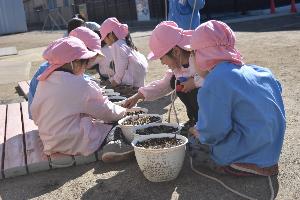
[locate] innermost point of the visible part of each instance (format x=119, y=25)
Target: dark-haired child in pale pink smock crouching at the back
x=130, y=65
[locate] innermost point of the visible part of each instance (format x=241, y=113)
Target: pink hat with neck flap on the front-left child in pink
x=62, y=51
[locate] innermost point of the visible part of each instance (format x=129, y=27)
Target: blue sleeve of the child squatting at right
x=214, y=115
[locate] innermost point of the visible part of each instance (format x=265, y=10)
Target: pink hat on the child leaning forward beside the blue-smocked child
x=165, y=36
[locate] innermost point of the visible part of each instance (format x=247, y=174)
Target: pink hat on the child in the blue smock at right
x=214, y=42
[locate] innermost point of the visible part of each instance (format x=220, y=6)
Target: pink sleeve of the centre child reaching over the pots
x=157, y=89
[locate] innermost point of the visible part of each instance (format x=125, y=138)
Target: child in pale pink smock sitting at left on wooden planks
x=65, y=104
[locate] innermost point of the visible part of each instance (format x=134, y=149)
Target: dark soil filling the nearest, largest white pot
x=160, y=143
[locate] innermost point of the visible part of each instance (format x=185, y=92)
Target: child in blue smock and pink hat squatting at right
x=241, y=112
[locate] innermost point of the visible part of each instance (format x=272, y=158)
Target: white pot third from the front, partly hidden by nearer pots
x=128, y=129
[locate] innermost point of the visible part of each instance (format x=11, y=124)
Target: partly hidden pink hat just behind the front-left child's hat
x=89, y=38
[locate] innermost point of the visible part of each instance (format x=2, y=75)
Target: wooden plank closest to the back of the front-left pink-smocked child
x=36, y=159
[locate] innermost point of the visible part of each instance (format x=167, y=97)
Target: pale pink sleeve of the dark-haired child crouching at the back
x=121, y=61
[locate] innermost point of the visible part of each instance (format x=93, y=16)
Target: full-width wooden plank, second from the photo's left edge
x=14, y=160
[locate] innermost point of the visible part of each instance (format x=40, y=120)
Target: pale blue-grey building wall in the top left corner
x=12, y=17
